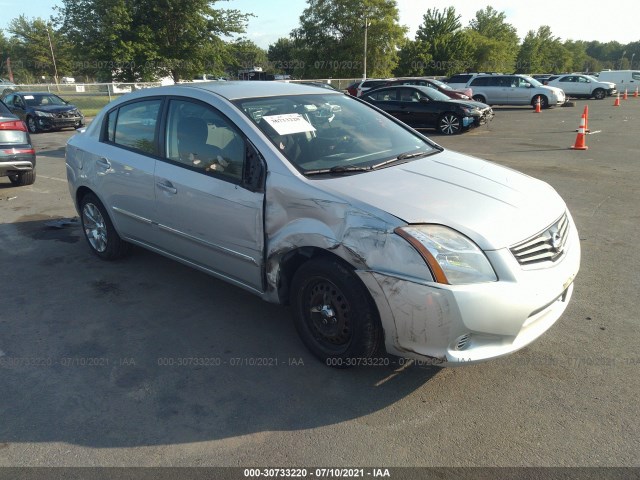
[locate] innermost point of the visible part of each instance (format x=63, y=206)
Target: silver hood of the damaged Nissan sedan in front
x=495, y=206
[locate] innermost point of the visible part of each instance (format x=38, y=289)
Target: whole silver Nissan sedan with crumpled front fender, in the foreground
x=374, y=234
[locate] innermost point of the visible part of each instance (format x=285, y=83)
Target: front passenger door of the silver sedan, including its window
x=205, y=215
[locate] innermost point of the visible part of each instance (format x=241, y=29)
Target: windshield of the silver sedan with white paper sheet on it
x=329, y=132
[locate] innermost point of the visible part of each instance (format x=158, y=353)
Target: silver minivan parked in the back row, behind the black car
x=514, y=90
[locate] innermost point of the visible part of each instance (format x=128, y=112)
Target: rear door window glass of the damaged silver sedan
x=134, y=126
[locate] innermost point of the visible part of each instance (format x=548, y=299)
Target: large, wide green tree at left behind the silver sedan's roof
x=133, y=40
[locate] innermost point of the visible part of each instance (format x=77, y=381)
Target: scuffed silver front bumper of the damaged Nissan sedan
x=451, y=325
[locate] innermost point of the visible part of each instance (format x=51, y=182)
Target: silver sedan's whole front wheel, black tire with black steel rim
x=334, y=313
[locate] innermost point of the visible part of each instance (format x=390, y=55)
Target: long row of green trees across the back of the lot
x=144, y=40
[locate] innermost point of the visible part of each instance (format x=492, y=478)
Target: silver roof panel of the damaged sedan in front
x=234, y=90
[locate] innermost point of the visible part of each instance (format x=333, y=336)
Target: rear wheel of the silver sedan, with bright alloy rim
x=102, y=238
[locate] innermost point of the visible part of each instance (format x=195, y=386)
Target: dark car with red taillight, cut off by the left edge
x=17, y=155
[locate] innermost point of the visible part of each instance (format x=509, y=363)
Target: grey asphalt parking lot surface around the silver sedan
x=145, y=362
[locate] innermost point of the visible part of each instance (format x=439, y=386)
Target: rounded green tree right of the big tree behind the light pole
x=442, y=38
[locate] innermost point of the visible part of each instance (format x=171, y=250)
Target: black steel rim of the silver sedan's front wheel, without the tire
x=328, y=314
